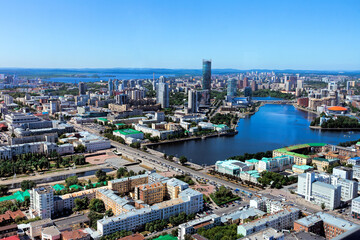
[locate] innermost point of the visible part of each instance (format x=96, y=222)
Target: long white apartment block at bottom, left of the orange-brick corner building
x=279, y=221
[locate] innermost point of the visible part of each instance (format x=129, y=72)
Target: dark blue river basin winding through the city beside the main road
x=273, y=126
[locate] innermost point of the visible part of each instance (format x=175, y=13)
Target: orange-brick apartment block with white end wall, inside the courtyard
x=150, y=193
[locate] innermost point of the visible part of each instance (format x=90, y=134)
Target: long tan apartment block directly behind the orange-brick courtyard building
x=124, y=185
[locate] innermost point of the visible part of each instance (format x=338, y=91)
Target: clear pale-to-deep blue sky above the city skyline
x=289, y=34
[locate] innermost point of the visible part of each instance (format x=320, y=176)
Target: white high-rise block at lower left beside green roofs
x=42, y=202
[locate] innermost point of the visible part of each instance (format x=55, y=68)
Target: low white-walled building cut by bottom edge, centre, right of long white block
x=191, y=227
